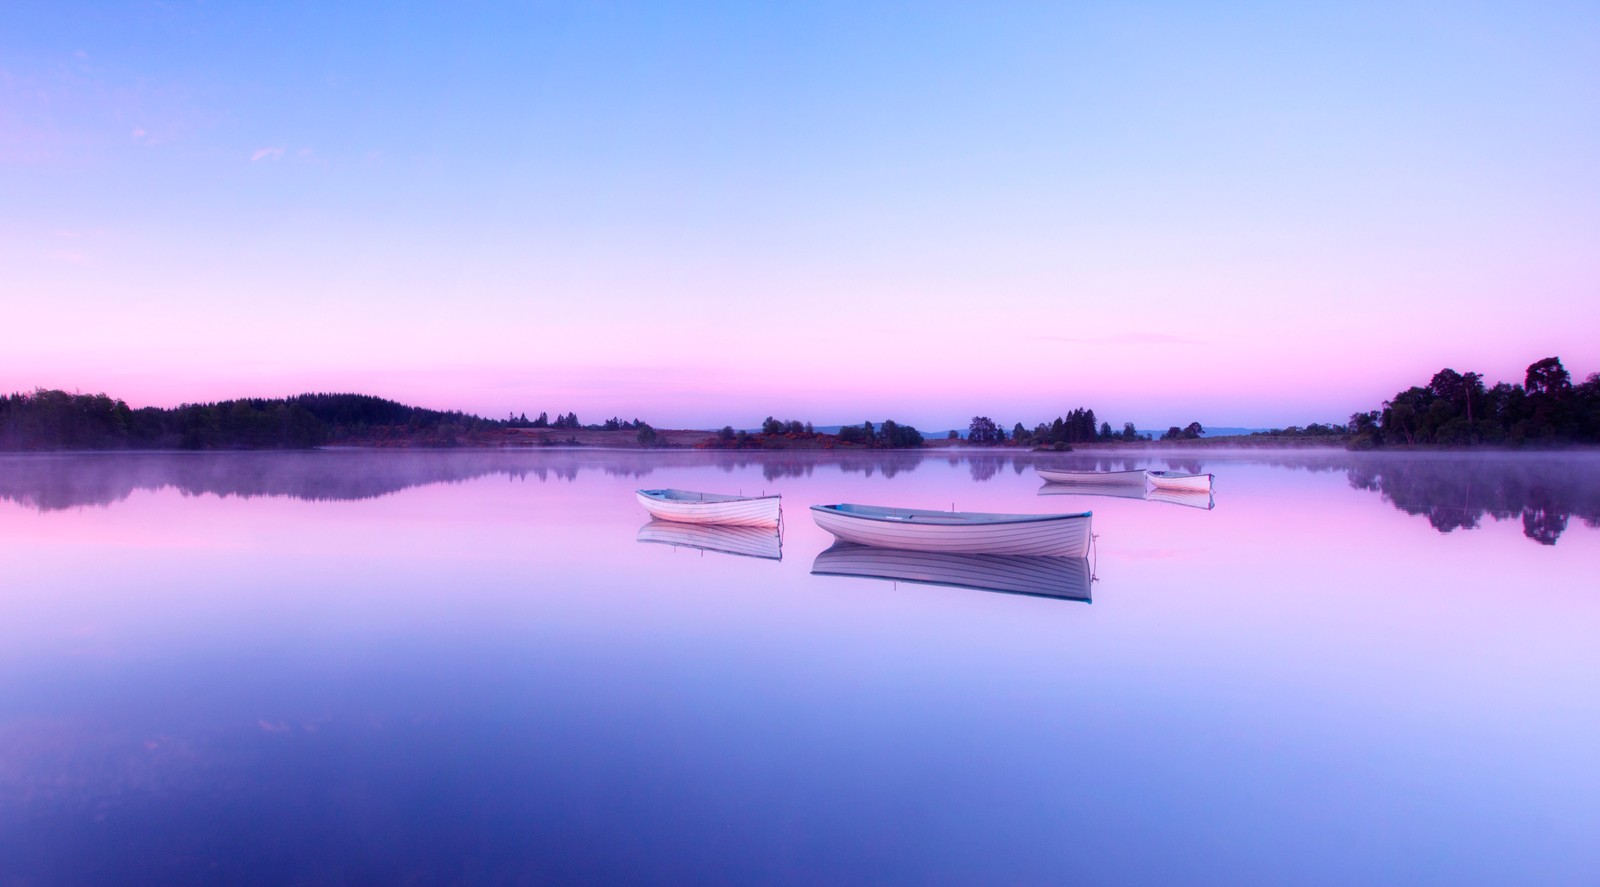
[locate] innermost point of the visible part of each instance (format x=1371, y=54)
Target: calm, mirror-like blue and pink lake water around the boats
x=484, y=667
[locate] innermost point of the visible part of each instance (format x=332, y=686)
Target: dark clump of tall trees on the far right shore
x=1458, y=411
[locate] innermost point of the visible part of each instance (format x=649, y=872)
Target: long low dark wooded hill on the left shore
x=57, y=420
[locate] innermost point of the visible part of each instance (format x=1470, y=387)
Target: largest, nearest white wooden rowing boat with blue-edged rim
x=961, y=532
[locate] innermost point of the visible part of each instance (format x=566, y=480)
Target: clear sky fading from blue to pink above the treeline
x=708, y=214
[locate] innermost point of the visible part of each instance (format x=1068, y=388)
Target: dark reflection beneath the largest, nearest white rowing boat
x=1014, y=574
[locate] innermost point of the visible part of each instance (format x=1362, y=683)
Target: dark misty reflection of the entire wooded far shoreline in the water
x=1454, y=492
